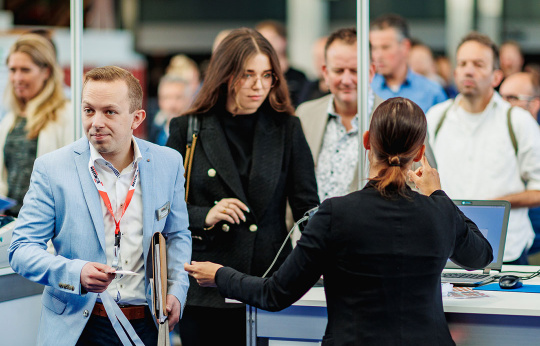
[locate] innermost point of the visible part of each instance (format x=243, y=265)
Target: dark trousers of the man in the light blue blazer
x=99, y=331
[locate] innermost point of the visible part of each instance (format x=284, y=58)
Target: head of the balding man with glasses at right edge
x=521, y=90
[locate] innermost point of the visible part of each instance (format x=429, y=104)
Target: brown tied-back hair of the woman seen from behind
x=396, y=133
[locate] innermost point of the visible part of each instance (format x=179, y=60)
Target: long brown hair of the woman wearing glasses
x=228, y=64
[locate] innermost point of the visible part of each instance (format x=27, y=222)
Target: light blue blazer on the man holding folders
x=64, y=205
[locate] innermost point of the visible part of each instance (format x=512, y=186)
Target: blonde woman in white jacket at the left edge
x=39, y=118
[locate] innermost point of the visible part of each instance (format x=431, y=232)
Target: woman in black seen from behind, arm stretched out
x=381, y=250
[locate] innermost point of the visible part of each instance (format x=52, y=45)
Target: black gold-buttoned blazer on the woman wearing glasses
x=282, y=170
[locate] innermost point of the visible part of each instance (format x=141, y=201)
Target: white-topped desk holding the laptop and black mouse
x=503, y=318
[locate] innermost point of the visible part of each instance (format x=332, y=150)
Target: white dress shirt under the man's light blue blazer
x=129, y=288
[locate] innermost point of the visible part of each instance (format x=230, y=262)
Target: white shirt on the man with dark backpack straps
x=476, y=159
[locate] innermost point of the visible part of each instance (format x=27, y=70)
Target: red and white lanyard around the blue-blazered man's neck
x=107, y=201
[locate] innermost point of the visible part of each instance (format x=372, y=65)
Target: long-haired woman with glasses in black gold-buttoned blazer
x=251, y=157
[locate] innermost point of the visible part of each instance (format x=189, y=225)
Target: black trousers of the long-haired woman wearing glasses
x=203, y=326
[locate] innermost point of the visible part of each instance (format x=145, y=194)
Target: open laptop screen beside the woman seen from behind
x=491, y=217
